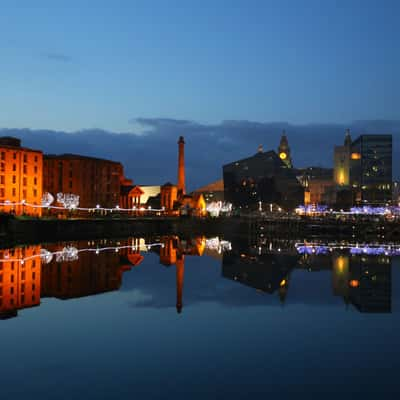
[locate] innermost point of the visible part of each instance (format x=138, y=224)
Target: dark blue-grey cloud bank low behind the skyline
x=150, y=156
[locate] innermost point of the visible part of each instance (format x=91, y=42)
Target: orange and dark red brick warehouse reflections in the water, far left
x=25, y=278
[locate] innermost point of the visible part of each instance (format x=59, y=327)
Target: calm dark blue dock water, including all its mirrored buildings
x=171, y=318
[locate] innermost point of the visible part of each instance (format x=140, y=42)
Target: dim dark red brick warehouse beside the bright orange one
x=96, y=181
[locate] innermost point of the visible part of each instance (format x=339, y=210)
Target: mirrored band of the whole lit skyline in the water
x=362, y=277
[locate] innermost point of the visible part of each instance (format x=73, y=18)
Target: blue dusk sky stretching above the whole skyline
x=100, y=65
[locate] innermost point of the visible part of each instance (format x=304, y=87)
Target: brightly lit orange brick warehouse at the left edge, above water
x=21, y=172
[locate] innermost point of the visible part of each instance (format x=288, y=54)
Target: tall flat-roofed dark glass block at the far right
x=371, y=169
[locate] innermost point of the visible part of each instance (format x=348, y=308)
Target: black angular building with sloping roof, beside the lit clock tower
x=260, y=180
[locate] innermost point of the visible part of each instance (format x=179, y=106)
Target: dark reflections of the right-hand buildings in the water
x=364, y=281
